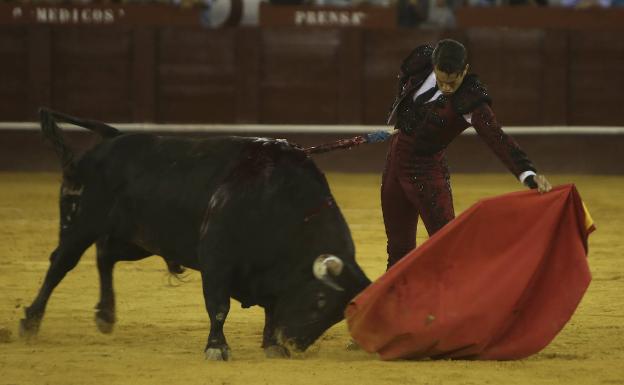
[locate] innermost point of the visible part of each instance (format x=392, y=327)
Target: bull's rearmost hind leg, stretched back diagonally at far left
x=62, y=260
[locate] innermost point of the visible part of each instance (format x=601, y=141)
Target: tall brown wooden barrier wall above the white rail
x=124, y=73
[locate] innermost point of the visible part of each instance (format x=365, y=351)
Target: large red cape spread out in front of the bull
x=498, y=282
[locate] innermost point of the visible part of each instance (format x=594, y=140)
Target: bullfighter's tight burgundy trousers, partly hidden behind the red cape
x=413, y=186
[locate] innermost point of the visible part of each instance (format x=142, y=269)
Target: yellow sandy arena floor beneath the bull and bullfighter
x=162, y=329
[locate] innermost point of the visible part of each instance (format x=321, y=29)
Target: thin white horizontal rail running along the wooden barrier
x=313, y=129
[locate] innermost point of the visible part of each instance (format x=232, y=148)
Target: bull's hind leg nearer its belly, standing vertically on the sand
x=110, y=251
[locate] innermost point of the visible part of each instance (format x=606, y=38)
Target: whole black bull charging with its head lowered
x=255, y=216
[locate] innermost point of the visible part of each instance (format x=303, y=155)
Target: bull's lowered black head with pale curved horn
x=302, y=315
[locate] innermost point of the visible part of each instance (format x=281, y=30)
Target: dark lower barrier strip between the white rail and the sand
x=25, y=150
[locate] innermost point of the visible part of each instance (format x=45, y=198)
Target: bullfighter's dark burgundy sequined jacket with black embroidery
x=427, y=128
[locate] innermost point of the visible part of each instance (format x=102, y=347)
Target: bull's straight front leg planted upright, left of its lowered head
x=217, y=298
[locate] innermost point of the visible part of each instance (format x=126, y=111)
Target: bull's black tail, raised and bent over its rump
x=52, y=132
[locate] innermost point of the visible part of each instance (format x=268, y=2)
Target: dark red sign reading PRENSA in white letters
x=310, y=16
